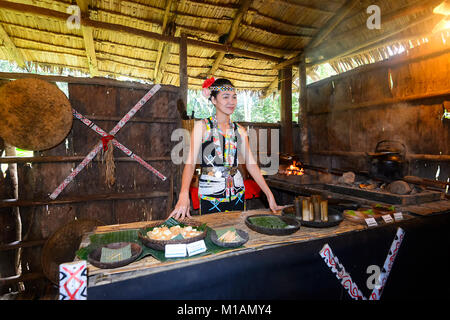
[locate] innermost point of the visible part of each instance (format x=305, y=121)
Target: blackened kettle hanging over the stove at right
x=388, y=162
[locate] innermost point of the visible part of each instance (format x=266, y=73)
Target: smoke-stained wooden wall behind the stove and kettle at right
x=390, y=100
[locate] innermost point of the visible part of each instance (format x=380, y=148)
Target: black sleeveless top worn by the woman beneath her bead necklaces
x=208, y=154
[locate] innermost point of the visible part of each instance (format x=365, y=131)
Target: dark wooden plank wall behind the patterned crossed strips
x=147, y=139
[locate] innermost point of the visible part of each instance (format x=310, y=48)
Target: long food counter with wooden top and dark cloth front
x=289, y=267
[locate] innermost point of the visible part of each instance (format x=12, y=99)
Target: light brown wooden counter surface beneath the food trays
x=257, y=241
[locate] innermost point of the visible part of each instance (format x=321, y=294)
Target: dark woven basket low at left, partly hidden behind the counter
x=62, y=245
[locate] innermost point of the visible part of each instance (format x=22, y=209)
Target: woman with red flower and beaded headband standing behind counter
x=221, y=186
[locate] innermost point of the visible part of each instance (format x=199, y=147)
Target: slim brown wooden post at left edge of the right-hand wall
x=303, y=110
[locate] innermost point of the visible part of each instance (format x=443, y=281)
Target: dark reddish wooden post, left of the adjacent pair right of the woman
x=286, y=110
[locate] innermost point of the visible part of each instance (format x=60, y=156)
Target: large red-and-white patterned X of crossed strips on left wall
x=117, y=144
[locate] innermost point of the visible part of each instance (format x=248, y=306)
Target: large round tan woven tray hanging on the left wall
x=34, y=114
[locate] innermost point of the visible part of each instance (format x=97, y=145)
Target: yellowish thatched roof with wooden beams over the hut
x=245, y=41
